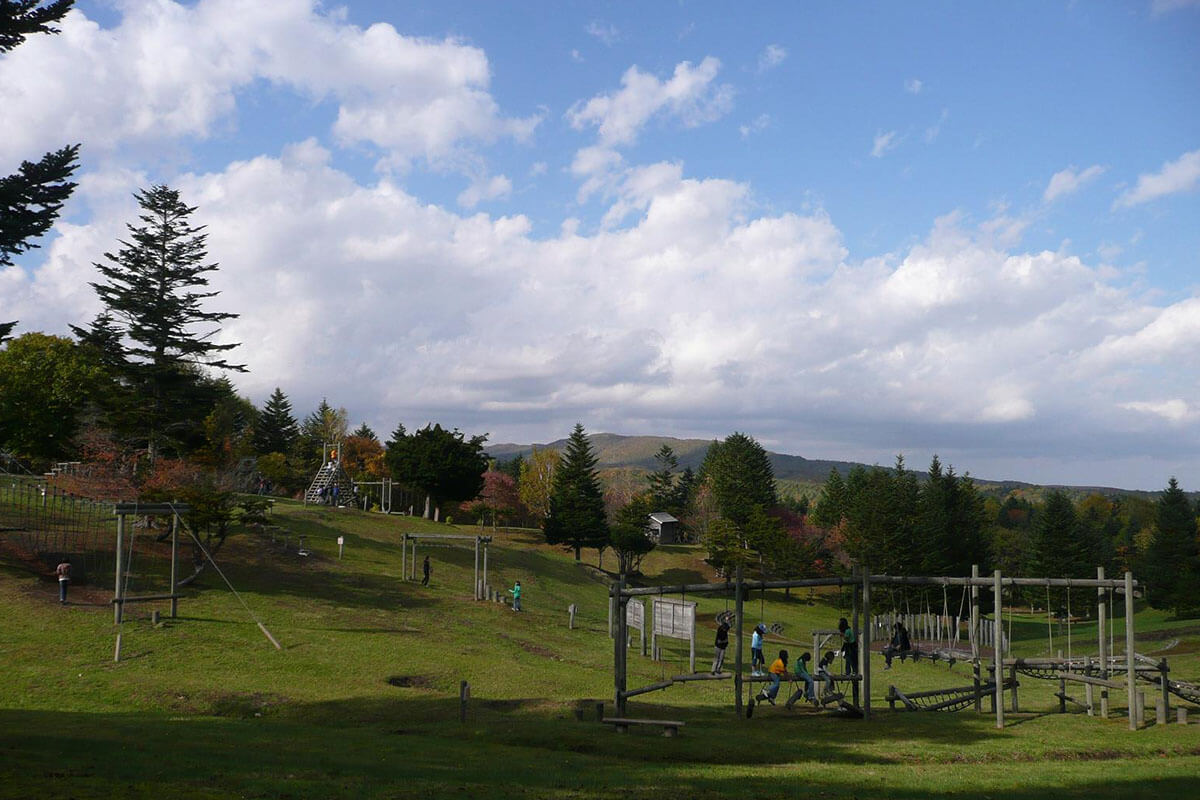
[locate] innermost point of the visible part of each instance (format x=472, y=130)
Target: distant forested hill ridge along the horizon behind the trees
x=616, y=452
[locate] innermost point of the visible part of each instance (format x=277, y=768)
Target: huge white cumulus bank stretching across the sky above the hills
x=701, y=314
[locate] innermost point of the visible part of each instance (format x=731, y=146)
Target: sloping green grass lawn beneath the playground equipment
x=363, y=700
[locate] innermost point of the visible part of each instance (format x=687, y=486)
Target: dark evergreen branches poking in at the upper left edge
x=33, y=197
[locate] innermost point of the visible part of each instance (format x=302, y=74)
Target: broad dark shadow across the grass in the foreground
x=416, y=747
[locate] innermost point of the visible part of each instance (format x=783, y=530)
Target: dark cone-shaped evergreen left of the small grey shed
x=577, y=502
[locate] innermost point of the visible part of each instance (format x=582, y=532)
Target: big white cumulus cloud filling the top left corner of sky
x=170, y=71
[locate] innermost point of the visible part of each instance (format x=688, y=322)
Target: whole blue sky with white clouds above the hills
x=850, y=230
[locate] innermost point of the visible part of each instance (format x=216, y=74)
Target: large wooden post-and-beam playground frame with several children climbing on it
x=983, y=685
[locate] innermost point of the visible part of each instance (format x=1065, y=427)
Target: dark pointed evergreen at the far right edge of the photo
x=1173, y=560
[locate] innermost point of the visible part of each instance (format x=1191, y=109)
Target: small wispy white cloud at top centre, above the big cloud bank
x=691, y=95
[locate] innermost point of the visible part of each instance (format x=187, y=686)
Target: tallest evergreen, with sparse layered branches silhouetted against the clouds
x=151, y=287
